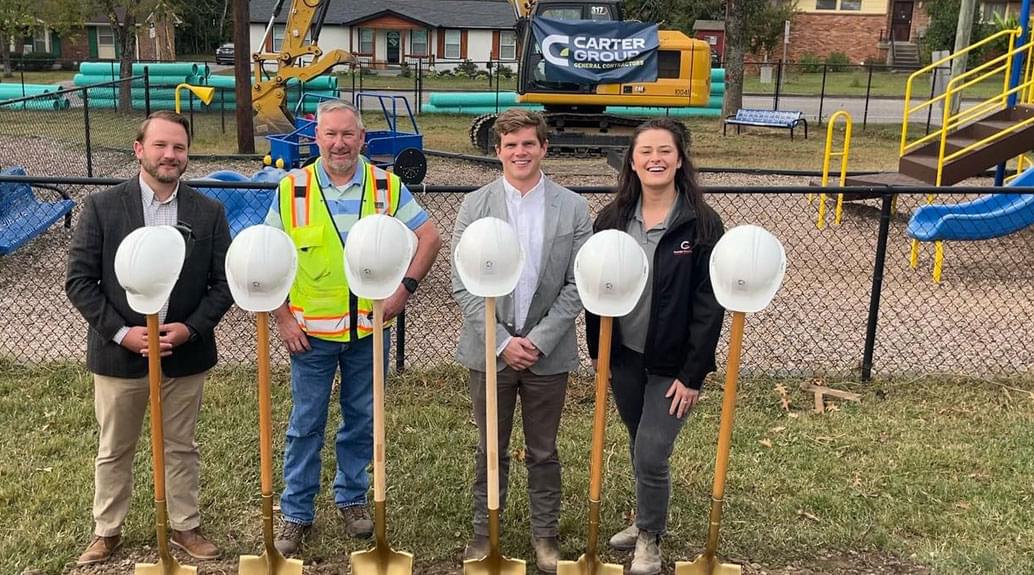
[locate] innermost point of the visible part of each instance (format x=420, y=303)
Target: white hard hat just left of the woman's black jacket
x=611, y=273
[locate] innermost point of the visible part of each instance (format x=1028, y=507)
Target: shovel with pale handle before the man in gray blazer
x=494, y=563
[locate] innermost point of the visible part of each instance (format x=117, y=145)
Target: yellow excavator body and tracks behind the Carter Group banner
x=577, y=113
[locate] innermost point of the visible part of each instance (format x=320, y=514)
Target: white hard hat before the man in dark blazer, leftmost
x=147, y=265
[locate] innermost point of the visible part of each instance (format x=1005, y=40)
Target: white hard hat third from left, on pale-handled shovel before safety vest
x=377, y=255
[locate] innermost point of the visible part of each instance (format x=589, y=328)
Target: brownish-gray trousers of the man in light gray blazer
x=542, y=403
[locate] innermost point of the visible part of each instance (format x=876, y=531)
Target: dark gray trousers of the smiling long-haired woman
x=644, y=408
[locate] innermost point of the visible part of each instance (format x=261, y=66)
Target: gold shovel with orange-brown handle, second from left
x=271, y=562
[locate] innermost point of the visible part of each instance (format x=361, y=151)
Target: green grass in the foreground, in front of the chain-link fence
x=935, y=472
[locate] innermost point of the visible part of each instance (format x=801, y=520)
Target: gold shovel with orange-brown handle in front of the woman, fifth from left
x=590, y=563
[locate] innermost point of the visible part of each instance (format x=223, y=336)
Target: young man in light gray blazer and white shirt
x=536, y=329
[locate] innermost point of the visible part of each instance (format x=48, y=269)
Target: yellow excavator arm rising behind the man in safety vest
x=300, y=58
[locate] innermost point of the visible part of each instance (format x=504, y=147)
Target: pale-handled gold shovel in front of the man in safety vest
x=382, y=560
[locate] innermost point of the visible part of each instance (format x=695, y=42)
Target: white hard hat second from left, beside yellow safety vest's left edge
x=261, y=266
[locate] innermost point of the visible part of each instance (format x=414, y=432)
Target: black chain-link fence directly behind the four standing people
x=850, y=307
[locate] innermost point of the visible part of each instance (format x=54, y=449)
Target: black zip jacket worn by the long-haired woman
x=685, y=318
